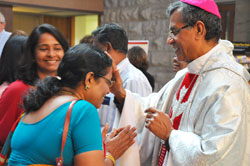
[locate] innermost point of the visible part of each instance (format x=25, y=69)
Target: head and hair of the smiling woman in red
x=43, y=52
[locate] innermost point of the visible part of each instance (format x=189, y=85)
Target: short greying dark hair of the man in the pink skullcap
x=192, y=14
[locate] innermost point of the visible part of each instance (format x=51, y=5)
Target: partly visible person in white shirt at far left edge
x=4, y=35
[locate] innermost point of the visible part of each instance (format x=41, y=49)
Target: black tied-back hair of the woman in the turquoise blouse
x=76, y=63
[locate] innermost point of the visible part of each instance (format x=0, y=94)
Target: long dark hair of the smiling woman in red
x=27, y=71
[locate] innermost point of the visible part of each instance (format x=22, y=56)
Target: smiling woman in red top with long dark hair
x=44, y=50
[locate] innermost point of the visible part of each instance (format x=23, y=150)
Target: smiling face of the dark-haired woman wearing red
x=49, y=54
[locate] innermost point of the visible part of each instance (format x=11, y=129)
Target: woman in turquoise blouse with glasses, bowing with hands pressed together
x=84, y=74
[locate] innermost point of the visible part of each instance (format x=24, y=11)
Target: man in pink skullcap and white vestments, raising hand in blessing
x=202, y=116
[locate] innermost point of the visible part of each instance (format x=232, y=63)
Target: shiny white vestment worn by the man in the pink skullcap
x=214, y=129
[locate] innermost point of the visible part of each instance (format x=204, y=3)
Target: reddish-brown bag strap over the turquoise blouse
x=59, y=161
